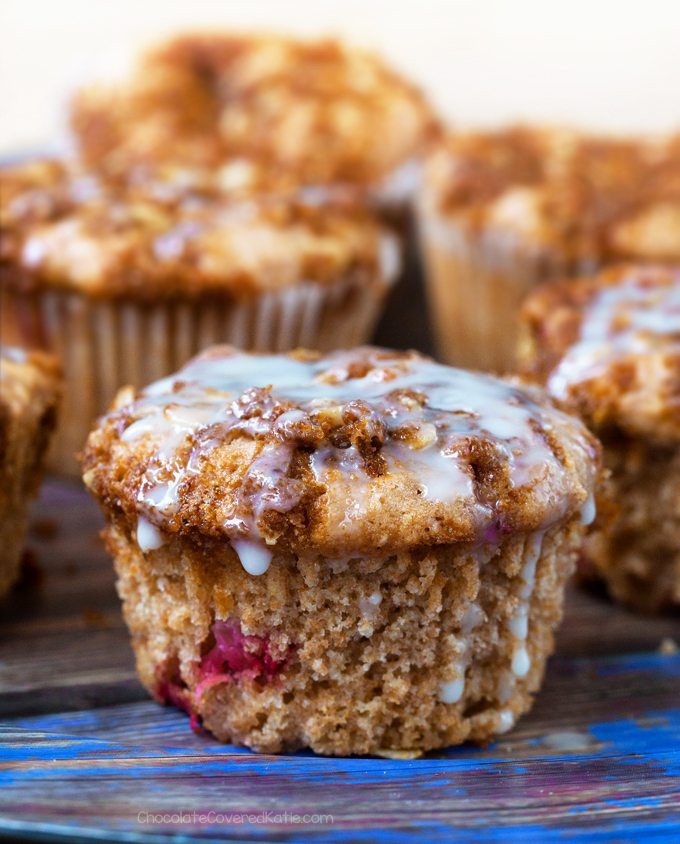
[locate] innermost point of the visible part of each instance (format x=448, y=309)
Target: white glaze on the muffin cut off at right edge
x=629, y=318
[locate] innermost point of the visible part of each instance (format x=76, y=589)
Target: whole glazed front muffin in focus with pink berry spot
x=358, y=553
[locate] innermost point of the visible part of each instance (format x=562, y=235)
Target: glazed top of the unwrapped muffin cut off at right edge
x=609, y=348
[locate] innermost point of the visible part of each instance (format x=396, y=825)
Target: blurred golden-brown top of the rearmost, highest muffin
x=318, y=109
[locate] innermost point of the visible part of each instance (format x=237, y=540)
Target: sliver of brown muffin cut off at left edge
x=29, y=393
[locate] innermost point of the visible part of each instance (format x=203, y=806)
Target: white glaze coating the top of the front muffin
x=454, y=405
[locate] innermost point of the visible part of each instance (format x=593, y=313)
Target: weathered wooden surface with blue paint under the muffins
x=598, y=758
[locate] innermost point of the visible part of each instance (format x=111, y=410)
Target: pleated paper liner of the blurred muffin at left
x=106, y=344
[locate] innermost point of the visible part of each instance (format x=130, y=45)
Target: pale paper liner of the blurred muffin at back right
x=476, y=282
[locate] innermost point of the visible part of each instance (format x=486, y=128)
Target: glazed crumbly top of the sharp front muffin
x=361, y=451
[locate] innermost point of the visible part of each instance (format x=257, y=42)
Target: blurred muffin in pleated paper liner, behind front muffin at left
x=126, y=279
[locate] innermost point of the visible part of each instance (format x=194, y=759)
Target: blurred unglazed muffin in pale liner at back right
x=501, y=212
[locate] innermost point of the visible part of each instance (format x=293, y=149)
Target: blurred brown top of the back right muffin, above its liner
x=583, y=198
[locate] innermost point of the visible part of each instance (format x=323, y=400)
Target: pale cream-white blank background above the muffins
x=611, y=64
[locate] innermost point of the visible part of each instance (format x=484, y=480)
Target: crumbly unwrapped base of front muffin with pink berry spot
x=416, y=651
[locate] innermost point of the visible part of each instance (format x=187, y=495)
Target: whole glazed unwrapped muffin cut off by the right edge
x=608, y=348
